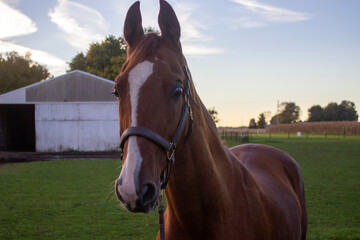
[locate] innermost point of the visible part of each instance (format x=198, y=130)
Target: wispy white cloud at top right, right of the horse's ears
x=260, y=15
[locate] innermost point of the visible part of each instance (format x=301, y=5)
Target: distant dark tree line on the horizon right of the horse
x=290, y=113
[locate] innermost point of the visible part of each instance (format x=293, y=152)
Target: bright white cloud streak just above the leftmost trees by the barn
x=55, y=65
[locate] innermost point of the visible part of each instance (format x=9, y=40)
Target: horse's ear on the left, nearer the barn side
x=133, y=31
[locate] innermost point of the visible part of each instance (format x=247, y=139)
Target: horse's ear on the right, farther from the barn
x=169, y=24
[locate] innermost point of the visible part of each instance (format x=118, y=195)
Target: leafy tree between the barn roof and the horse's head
x=104, y=59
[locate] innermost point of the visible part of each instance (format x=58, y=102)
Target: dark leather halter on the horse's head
x=168, y=147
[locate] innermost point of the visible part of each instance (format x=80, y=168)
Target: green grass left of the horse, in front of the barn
x=71, y=199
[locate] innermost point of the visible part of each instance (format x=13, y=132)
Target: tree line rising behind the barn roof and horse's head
x=103, y=59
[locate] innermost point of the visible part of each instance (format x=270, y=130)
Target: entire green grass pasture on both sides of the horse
x=74, y=199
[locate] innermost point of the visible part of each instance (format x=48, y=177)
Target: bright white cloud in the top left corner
x=14, y=23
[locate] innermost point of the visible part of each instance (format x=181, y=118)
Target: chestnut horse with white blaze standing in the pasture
x=246, y=192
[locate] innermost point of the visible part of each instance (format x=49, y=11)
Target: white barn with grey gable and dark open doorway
x=72, y=112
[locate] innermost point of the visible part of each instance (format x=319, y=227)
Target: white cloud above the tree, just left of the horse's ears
x=80, y=24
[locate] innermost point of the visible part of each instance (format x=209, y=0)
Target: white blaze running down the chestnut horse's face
x=130, y=172
